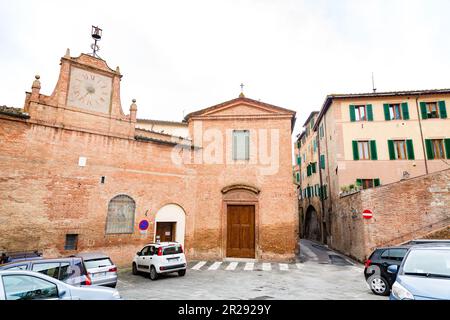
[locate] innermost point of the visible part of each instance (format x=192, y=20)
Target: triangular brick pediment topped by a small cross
x=241, y=107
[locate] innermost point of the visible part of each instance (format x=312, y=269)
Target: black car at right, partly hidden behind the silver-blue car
x=377, y=276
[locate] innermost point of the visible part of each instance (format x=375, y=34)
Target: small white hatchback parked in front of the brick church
x=158, y=258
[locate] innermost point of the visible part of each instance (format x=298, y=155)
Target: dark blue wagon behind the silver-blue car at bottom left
x=69, y=270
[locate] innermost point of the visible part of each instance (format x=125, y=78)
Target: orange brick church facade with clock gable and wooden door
x=80, y=175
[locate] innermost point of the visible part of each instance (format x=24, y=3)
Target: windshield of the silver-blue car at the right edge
x=429, y=263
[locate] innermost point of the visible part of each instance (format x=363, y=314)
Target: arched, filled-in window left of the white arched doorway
x=120, y=218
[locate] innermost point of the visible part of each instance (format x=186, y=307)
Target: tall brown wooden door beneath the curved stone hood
x=241, y=231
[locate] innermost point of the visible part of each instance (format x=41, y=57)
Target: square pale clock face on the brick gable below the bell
x=90, y=91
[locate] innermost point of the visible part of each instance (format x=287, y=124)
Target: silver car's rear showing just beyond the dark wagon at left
x=101, y=270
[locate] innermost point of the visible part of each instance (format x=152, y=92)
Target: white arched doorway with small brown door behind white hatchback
x=170, y=224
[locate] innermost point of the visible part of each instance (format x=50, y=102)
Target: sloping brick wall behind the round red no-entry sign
x=403, y=211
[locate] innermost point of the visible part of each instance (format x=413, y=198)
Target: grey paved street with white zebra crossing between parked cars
x=318, y=274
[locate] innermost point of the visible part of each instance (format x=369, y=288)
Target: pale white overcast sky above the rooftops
x=180, y=56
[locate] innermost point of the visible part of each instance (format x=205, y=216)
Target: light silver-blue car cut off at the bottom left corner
x=30, y=285
